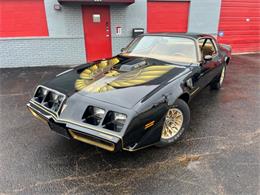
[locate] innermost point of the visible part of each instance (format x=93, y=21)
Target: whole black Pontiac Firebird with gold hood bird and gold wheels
x=136, y=99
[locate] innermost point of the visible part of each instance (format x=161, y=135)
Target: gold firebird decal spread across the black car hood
x=129, y=79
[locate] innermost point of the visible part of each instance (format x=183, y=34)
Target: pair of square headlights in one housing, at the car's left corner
x=49, y=98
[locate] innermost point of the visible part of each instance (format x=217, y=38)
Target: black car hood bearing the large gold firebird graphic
x=122, y=88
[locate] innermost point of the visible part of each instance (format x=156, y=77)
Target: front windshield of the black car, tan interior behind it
x=176, y=49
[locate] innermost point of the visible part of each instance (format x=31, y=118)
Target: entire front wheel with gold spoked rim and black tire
x=176, y=123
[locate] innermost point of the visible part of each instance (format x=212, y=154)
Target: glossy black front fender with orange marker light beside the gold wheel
x=152, y=110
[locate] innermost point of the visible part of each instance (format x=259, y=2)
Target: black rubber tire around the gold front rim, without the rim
x=184, y=108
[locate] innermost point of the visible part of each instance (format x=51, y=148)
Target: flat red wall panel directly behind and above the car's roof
x=167, y=16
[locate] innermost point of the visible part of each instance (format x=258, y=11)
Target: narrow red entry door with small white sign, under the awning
x=97, y=36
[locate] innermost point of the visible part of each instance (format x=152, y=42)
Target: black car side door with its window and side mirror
x=210, y=62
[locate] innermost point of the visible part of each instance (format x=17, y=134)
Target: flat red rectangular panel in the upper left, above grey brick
x=22, y=18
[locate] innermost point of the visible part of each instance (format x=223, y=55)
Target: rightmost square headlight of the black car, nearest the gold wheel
x=114, y=121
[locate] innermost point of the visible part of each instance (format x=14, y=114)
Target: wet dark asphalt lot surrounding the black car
x=220, y=154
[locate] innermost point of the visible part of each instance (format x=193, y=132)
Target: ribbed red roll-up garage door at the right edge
x=240, y=25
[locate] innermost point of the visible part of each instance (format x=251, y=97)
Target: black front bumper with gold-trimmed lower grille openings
x=72, y=130
